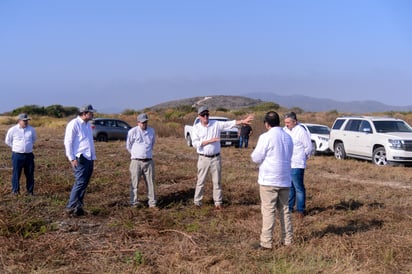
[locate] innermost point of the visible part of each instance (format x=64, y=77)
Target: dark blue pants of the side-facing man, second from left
x=82, y=174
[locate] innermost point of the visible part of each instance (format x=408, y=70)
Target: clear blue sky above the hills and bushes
x=125, y=54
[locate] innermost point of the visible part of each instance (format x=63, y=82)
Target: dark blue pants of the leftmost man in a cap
x=22, y=161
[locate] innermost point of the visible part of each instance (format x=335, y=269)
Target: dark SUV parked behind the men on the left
x=105, y=129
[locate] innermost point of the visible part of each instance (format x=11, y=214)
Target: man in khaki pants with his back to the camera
x=273, y=153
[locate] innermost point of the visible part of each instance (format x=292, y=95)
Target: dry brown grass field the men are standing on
x=359, y=216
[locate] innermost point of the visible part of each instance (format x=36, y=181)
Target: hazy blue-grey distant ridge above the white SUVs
x=316, y=105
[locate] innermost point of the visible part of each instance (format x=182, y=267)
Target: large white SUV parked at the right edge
x=380, y=139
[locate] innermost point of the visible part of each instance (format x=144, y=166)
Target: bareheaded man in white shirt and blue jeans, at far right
x=301, y=153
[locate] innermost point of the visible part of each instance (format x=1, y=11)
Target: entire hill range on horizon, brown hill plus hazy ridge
x=306, y=103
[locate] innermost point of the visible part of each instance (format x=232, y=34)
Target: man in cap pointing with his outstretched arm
x=206, y=140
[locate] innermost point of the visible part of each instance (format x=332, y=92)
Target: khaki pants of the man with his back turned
x=275, y=200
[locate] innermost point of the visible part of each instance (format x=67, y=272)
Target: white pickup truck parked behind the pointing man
x=227, y=138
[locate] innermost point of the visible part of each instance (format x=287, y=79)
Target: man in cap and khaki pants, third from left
x=139, y=143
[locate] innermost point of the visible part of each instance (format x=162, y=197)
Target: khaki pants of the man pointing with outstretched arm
x=204, y=165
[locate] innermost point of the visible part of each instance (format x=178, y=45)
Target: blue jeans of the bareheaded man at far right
x=297, y=191
